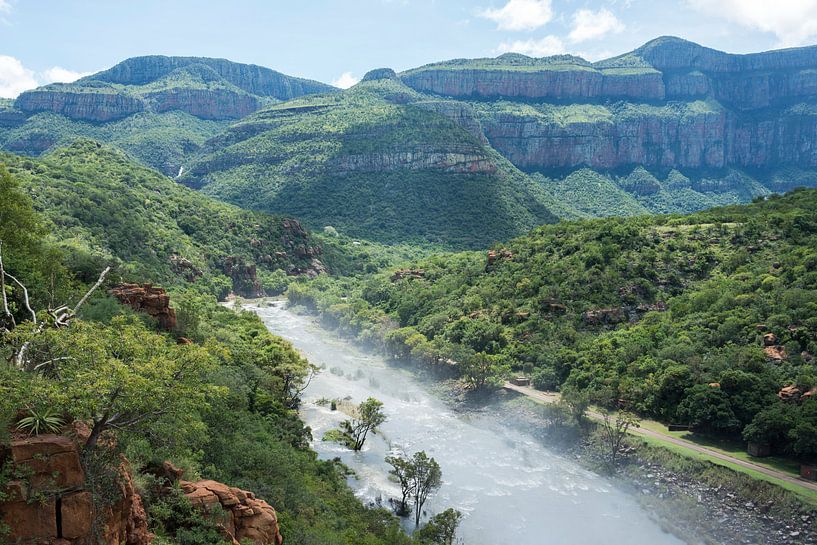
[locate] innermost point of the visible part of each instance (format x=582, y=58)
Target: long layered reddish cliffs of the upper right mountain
x=668, y=104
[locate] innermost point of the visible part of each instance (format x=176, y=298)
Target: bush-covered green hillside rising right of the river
x=667, y=314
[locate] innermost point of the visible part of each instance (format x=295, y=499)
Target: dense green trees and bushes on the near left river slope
x=224, y=407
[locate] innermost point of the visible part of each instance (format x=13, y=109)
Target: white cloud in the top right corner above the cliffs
x=794, y=22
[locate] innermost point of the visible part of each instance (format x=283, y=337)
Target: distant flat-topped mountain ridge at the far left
x=160, y=109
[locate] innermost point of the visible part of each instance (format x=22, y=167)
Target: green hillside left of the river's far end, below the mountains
x=103, y=208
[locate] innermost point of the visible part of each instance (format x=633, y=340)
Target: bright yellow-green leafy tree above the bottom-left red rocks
x=120, y=377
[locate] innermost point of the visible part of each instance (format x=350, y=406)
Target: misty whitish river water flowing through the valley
x=511, y=488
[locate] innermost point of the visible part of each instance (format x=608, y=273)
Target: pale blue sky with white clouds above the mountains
x=338, y=41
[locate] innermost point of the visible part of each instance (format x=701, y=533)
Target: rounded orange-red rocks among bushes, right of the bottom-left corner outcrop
x=247, y=517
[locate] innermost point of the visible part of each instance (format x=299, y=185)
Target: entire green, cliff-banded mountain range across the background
x=462, y=152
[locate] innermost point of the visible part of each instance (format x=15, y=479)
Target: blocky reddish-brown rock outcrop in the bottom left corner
x=51, y=504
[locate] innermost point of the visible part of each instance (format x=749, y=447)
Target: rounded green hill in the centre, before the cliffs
x=373, y=165
